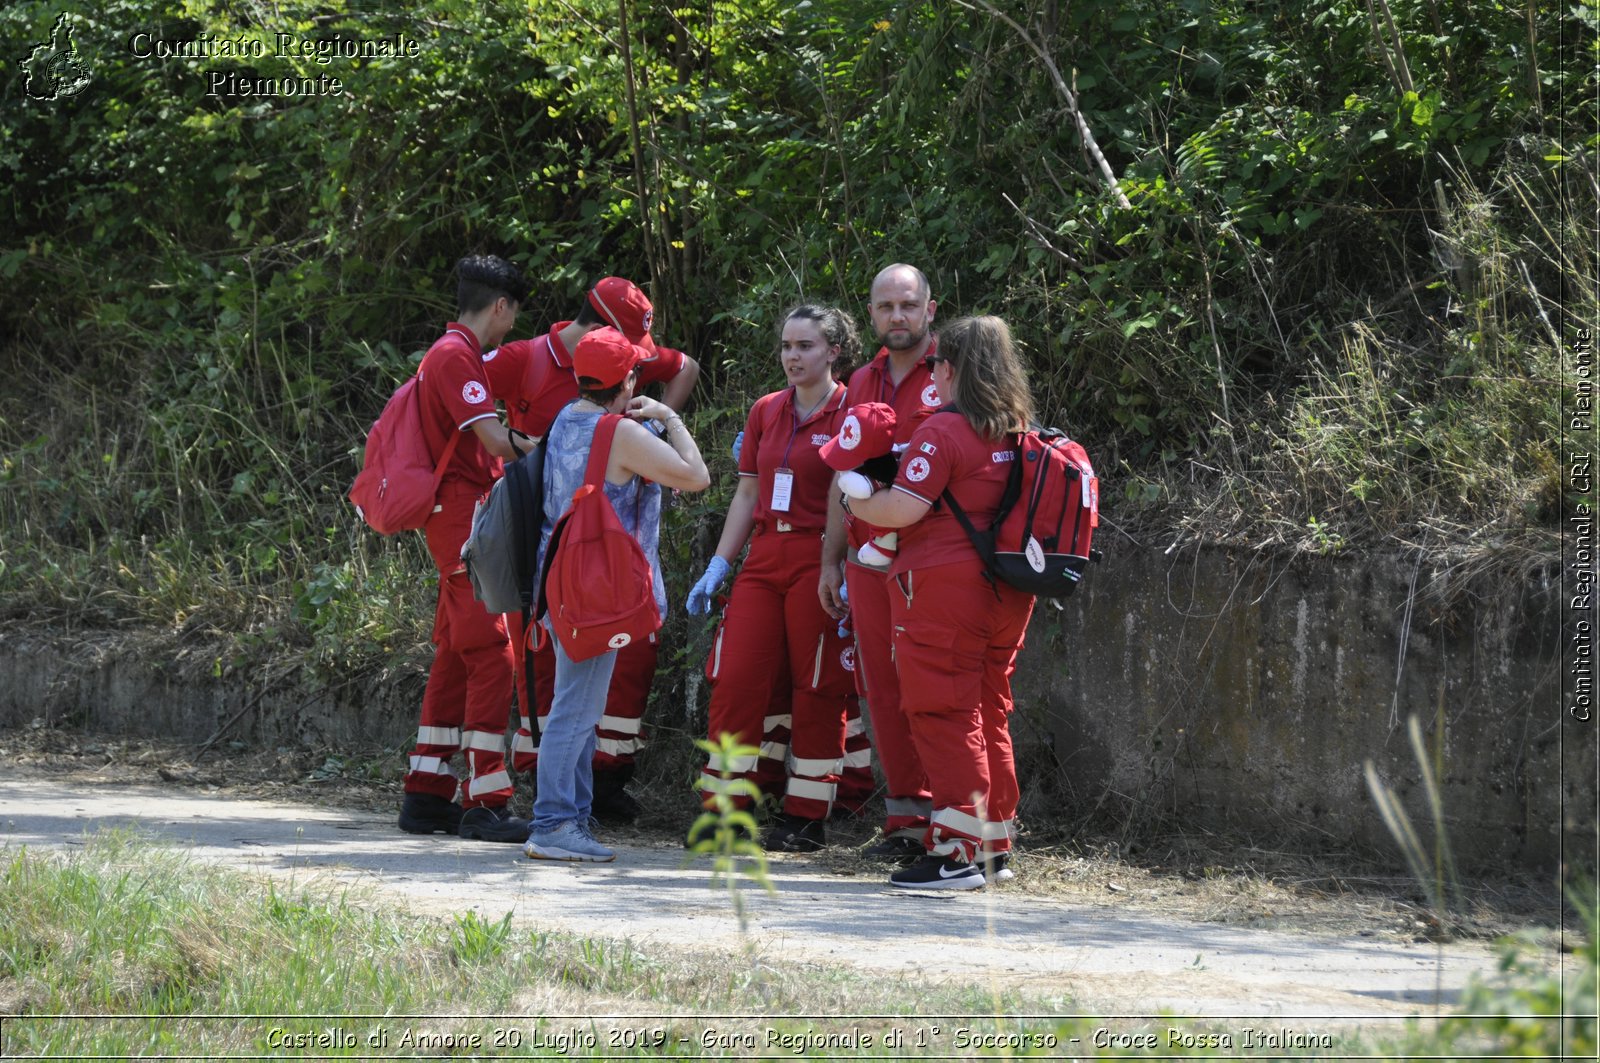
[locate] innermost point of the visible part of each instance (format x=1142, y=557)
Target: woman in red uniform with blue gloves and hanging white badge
x=774, y=627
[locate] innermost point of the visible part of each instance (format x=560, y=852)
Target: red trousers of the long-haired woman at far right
x=956, y=644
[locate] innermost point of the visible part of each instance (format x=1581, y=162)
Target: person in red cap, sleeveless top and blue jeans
x=641, y=463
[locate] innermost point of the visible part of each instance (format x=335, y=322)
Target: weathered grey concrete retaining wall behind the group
x=1199, y=688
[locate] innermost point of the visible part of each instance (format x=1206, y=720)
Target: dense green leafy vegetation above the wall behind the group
x=1330, y=313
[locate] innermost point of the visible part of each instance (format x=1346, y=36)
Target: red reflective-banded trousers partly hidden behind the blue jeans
x=620, y=734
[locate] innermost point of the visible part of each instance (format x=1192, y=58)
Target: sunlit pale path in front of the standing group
x=1094, y=958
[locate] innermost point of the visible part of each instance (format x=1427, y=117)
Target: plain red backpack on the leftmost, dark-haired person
x=399, y=479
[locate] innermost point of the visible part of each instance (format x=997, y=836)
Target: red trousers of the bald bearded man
x=908, y=804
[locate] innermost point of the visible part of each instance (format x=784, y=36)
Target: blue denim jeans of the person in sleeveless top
x=567, y=745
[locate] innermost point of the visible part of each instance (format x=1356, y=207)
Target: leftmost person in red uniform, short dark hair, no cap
x=465, y=702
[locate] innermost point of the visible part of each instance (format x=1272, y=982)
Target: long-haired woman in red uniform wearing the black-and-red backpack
x=956, y=632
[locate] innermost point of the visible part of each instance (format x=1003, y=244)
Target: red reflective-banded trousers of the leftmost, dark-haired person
x=465, y=707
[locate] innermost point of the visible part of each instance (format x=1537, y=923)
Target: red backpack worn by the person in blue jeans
x=598, y=585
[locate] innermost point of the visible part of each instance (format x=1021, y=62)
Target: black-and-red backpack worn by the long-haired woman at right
x=1042, y=536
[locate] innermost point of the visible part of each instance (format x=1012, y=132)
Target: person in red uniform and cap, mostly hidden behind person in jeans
x=535, y=380
